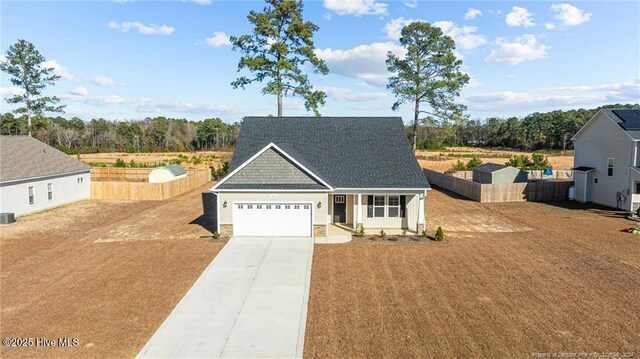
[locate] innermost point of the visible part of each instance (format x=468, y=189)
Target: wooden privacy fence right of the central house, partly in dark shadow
x=535, y=191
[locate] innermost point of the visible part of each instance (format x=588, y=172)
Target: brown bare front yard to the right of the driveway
x=512, y=280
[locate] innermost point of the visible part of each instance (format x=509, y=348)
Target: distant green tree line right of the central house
x=537, y=131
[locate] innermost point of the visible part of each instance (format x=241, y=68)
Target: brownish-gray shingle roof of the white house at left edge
x=23, y=157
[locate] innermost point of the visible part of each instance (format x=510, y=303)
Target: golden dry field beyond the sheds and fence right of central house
x=442, y=160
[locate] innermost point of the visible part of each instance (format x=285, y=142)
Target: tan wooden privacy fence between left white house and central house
x=145, y=191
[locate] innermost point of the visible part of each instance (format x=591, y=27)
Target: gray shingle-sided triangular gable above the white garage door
x=271, y=167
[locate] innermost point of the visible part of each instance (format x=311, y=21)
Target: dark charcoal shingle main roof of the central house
x=346, y=152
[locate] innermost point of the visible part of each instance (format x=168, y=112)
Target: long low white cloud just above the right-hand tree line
x=555, y=98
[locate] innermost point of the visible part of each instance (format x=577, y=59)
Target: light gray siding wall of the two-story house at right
x=601, y=140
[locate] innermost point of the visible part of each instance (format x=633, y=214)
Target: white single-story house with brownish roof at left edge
x=35, y=176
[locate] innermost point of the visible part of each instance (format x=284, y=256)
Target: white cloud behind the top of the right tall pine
x=464, y=36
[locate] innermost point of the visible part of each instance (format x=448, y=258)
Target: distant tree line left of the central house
x=153, y=134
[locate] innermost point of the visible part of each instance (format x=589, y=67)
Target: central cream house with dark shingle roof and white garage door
x=296, y=176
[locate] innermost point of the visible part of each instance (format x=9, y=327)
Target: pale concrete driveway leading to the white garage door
x=250, y=302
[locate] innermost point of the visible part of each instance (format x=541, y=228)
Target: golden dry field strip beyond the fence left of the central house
x=199, y=159
